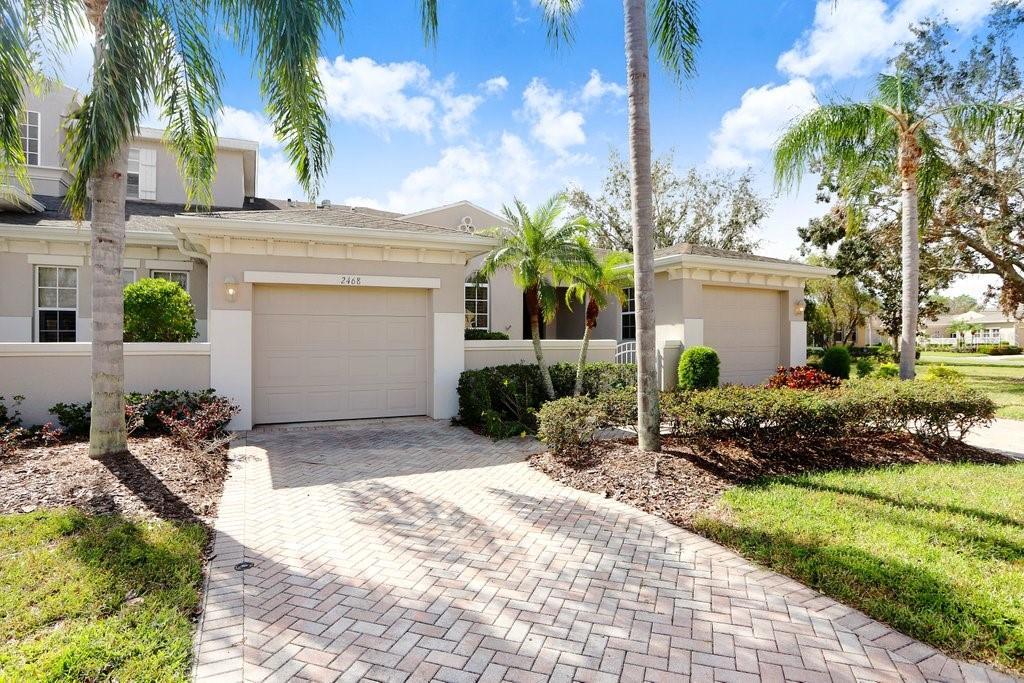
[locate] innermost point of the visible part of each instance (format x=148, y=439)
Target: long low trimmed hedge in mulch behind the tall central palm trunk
x=765, y=418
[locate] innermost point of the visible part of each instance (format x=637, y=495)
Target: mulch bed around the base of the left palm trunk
x=156, y=480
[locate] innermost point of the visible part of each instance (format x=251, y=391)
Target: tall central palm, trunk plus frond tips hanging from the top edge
x=675, y=37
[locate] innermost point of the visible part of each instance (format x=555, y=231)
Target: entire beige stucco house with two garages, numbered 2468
x=313, y=313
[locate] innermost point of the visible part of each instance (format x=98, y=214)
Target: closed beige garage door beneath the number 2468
x=335, y=354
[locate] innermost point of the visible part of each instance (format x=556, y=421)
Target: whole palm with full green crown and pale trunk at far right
x=889, y=139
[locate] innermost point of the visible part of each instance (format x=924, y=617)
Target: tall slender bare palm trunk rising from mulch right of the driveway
x=638, y=86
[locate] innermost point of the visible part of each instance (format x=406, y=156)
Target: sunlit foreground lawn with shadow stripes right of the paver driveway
x=936, y=551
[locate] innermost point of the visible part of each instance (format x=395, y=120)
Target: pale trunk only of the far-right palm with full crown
x=910, y=155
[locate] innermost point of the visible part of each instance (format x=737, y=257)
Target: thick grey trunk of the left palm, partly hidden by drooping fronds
x=107, y=433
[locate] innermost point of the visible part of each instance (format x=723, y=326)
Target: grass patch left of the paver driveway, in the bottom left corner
x=97, y=597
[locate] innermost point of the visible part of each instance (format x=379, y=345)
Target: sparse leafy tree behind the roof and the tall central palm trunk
x=712, y=208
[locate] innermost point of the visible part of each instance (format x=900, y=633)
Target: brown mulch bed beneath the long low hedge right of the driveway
x=684, y=482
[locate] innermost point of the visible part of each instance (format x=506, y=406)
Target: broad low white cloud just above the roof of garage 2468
x=489, y=176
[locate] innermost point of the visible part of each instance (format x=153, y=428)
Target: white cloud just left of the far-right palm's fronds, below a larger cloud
x=755, y=125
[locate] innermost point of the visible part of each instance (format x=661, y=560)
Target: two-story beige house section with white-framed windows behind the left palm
x=46, y=276
